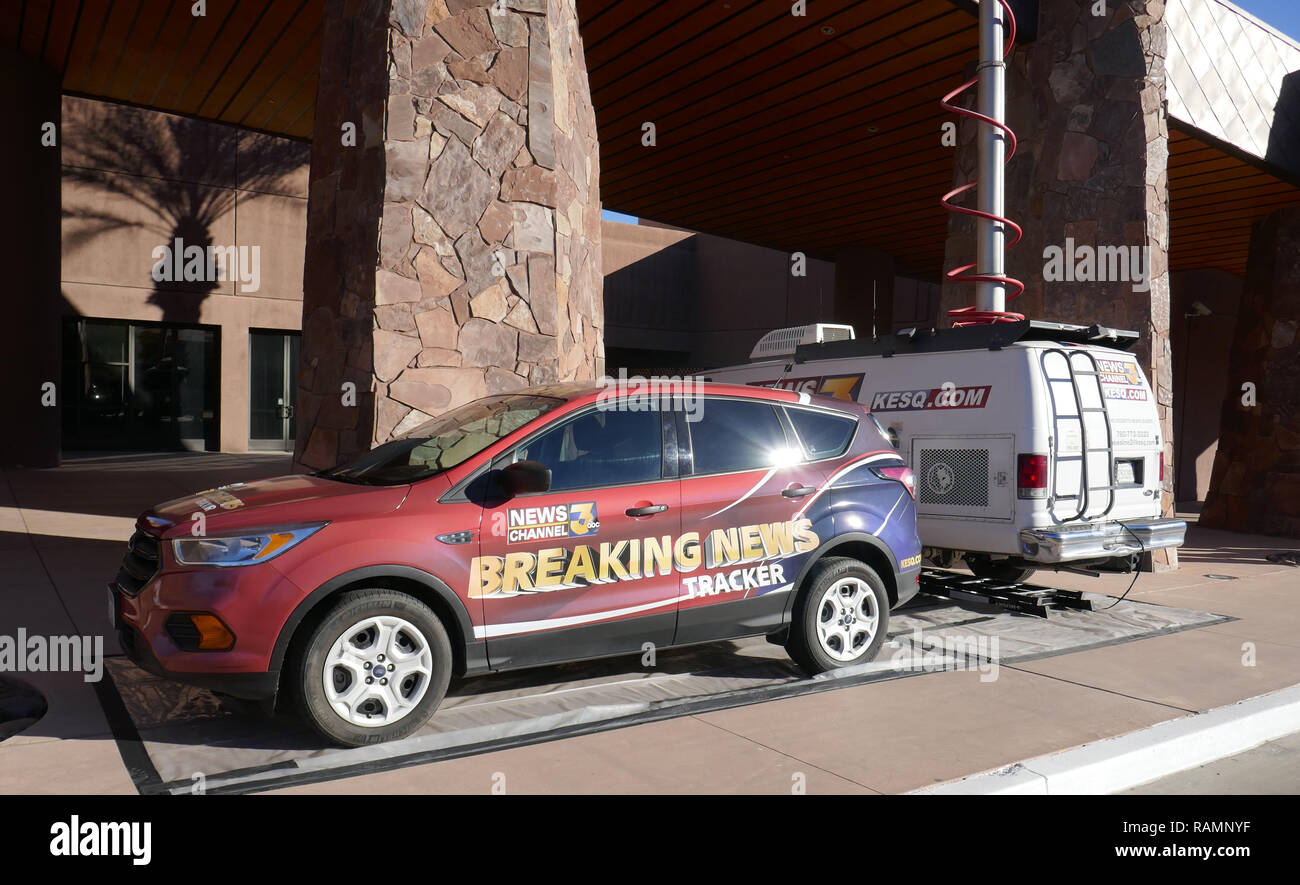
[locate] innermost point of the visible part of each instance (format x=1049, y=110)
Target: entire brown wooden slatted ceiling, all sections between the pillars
x=764, y=122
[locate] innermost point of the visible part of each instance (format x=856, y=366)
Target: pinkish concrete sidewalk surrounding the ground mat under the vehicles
x=62, y=536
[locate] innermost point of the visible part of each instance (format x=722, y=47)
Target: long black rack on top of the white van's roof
x=968, y=339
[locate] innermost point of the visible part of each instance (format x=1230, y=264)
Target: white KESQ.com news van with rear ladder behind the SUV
x=1034, y=445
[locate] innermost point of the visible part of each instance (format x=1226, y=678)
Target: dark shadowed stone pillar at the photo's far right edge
x=1256, y=480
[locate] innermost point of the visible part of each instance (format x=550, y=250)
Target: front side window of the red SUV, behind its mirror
x=600, y=449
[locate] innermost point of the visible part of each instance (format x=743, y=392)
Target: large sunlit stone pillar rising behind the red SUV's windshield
x=454, y=244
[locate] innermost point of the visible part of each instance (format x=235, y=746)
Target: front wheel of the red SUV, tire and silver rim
x=375, y=669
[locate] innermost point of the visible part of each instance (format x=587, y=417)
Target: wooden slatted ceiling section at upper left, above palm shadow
x=248, y=63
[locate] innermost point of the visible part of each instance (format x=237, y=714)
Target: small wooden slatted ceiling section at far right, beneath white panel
x=1215, y=198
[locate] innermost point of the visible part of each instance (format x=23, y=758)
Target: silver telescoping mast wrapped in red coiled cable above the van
x=996, y=147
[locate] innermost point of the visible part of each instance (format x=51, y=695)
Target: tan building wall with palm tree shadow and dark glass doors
x=181, y=281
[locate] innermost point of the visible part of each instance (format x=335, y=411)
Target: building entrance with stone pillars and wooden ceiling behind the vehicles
x=422, y=183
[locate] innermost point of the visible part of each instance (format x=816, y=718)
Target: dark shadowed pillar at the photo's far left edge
x=33, y=393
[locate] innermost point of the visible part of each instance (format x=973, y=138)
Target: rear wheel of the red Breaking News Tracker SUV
x=840, y=618
